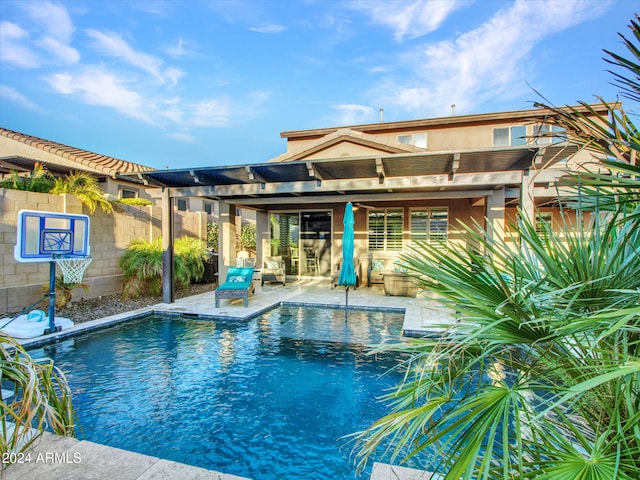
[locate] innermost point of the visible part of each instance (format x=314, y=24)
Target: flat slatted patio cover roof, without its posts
x=411, y=175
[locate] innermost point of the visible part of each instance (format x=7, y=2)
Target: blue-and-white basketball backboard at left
x=43, y=235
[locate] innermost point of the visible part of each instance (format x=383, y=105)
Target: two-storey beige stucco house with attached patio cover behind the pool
x=408, y=180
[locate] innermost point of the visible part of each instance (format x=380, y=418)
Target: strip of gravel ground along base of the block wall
x=90, y=309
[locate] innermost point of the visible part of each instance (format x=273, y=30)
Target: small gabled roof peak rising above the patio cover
x=383, y=145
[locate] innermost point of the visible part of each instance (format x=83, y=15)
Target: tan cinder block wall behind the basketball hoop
x=22, y=284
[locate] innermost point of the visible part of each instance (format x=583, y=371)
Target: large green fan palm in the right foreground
x=540, y=377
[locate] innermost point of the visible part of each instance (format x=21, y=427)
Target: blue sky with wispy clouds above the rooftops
x=194, y=83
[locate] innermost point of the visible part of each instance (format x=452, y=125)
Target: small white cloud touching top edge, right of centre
x=409, y=19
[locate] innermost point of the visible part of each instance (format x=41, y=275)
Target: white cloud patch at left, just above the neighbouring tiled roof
x=95, y=86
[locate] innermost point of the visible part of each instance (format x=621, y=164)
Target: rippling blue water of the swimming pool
x=268, y=398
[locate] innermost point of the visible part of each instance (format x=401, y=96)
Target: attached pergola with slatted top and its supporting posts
x=496, y=176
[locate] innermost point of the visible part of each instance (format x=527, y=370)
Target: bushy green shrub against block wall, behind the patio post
x=142, y=265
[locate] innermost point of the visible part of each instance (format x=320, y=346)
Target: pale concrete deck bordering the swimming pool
x=422, y=317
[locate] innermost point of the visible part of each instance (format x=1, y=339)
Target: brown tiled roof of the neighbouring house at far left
x=85, y=160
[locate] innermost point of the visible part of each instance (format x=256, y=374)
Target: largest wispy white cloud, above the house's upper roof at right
x=493, y=61
